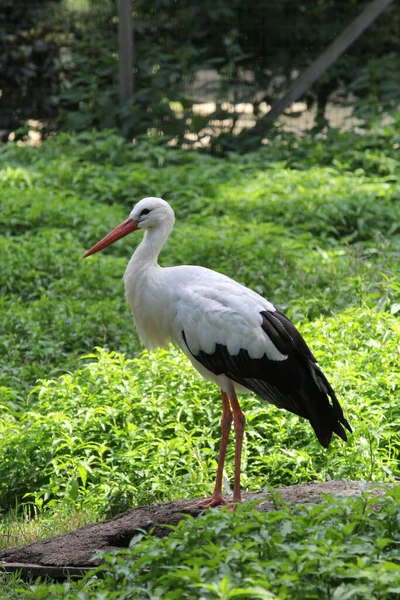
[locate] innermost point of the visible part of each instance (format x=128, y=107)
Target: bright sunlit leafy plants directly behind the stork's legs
x=147, y=429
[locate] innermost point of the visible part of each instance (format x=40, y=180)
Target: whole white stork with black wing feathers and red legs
x=231, y=335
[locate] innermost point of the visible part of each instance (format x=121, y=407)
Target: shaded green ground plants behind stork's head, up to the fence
x=314, y=239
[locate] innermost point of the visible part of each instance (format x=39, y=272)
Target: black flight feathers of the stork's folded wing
x=296, y=383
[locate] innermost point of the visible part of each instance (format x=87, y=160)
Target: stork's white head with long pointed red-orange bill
x=149, y=213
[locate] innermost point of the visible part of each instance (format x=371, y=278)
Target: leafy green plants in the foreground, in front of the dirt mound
x=351, y=551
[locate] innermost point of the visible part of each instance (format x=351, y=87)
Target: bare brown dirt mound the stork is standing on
x=72, y=554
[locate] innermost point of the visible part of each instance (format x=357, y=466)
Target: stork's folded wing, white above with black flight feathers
x=261, y=349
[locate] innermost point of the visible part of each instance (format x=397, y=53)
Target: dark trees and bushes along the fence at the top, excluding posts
x=60, y=66
